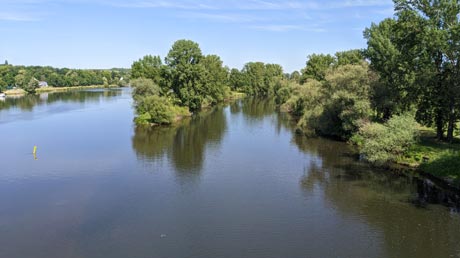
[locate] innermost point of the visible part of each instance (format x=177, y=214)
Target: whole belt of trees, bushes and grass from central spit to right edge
x=397, y=100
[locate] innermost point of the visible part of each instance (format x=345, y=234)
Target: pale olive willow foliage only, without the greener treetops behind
x=332, y=107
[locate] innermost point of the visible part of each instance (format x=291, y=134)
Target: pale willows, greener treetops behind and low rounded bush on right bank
x=337, y=97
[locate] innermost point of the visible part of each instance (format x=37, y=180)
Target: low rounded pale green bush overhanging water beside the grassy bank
x=381, y=143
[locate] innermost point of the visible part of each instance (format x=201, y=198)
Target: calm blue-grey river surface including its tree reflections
x=233, y=182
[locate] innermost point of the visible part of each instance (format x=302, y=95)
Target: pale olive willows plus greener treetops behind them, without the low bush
x=333, y=97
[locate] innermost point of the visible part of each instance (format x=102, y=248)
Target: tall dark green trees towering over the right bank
x=417, y=57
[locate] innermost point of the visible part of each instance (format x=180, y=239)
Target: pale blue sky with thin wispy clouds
x=114, y=33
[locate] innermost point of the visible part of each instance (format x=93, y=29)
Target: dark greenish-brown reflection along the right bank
x=383, y=200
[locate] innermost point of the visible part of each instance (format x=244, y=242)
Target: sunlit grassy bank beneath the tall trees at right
x=438, y=158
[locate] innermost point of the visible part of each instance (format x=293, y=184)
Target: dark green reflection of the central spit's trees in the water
x=185, y=144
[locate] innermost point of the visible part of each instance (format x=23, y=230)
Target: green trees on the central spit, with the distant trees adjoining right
x=190, y=79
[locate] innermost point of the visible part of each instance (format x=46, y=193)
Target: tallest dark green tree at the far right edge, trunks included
x=433, y=26
